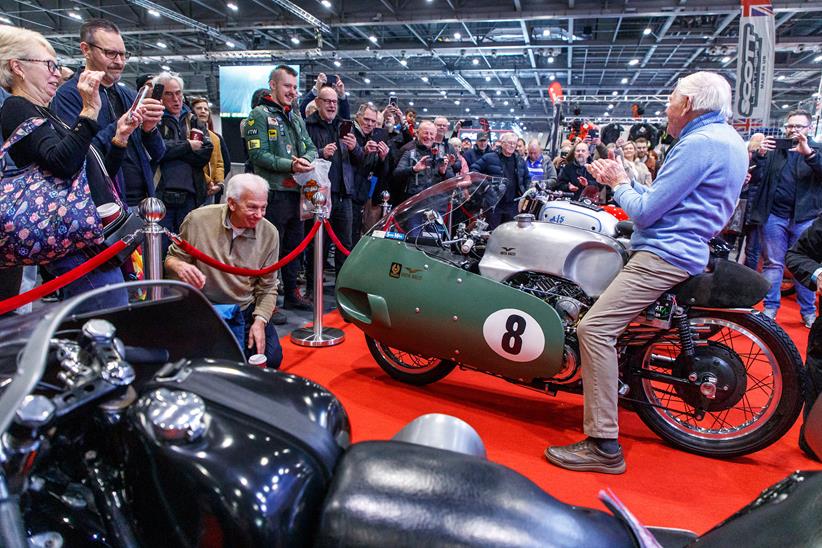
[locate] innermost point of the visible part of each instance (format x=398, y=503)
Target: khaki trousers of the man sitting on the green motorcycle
x=641, y=282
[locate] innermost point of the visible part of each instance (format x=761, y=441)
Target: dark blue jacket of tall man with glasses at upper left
x=149, y=147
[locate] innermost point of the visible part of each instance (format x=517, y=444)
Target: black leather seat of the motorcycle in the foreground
x=389, y=493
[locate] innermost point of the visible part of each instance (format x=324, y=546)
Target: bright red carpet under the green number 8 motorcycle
x=662, y=486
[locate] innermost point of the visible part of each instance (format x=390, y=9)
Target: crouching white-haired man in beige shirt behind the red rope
x=235, y=233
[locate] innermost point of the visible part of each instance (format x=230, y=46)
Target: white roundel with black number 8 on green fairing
x=513, y=334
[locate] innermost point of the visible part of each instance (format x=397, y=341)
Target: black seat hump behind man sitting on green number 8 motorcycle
x=729, y=285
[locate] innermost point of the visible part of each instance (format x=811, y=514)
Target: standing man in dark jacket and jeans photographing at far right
x=788, y=183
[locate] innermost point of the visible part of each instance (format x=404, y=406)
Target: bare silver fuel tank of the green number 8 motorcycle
x=586, y=258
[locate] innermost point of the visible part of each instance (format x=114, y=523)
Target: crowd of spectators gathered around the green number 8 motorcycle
x=169, y=149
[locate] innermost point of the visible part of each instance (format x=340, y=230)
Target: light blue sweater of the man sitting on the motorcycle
x=693, y=195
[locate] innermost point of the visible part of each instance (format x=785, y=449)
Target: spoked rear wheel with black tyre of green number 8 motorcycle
x=762, y=404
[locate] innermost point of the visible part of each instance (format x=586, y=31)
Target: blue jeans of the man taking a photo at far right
x=778, y=235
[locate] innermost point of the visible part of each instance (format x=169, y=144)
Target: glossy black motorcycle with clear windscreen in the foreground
x=142, y=426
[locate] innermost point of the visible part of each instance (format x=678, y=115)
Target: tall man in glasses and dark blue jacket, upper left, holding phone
x=104, y=50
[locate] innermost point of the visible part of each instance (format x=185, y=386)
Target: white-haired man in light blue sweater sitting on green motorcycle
x=689, y=202
